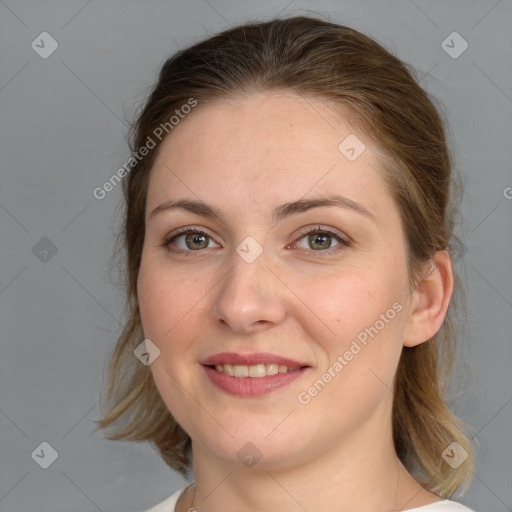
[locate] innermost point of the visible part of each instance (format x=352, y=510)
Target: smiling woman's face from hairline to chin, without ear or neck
x=259, y=289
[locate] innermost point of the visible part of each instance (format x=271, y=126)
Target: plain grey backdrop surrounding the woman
x=62, y=135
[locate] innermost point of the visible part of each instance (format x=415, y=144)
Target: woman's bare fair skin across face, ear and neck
x=245, y=156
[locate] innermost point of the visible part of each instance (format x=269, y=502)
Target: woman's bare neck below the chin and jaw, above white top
x=362, y=474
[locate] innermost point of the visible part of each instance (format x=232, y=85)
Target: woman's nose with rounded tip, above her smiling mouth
x=250, y=297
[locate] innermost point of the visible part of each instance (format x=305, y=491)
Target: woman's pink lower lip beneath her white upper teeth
x=252, y=386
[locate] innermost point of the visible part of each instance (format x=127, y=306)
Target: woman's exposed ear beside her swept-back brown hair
x=430, y=301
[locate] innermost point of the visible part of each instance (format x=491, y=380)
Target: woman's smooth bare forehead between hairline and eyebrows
x=269, y=147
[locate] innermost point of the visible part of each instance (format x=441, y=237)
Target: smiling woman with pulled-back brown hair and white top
x=287, y=235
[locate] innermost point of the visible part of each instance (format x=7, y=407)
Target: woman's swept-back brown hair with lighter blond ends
x=314, y=58
